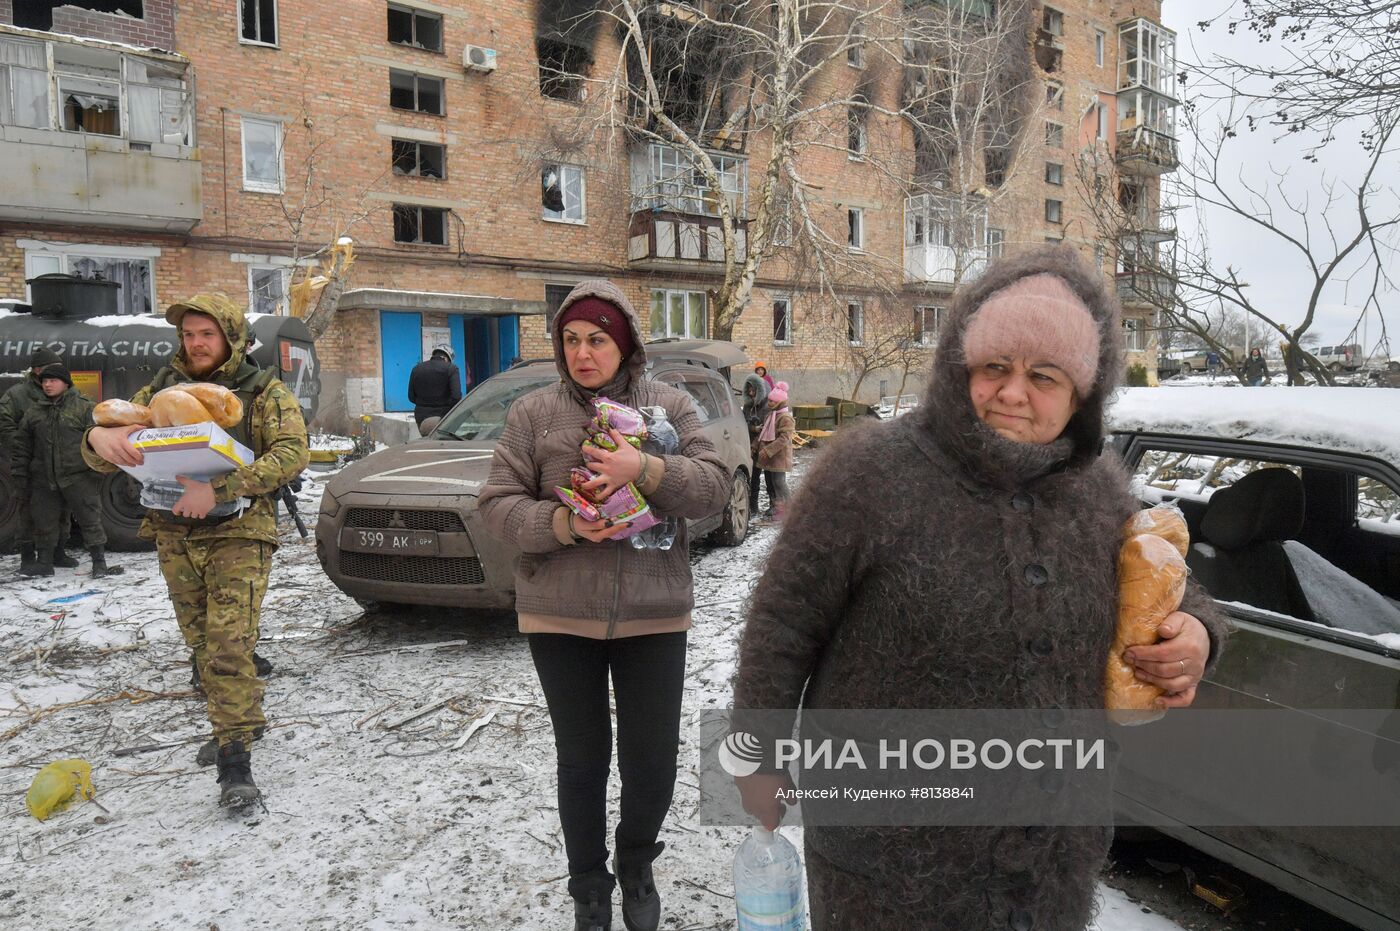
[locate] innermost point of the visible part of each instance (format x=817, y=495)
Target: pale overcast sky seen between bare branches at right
x=1270, y=265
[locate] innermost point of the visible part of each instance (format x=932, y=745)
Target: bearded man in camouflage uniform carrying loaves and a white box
x=216, y=569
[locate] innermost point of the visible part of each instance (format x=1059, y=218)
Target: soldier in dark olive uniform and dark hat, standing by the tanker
x=45, y=458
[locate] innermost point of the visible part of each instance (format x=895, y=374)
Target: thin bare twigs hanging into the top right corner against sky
x=1340, y=61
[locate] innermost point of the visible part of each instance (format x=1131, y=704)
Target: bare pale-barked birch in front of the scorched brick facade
x=724, y=110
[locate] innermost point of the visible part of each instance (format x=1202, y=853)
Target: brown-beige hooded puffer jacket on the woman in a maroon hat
x=597, y=590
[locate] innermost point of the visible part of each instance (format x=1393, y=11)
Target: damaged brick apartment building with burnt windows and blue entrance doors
x=485, y=157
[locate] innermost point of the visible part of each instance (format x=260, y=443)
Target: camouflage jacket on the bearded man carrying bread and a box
x=272, y=428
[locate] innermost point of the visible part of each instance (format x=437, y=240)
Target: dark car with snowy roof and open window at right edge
x=1293, y=499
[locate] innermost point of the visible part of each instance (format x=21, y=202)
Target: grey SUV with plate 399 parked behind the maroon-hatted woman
x=401, y=526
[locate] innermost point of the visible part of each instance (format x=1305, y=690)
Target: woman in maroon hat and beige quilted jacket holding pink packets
x=597, y=608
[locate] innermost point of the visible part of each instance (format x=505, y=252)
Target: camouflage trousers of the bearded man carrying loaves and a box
x=218, y=586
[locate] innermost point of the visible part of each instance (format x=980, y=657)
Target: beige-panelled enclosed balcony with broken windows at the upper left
x=101, y=134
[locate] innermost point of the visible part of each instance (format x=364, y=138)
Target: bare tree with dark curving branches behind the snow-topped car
x=1196, y=296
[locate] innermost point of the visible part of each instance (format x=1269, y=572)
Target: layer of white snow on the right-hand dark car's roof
x=1361, y=421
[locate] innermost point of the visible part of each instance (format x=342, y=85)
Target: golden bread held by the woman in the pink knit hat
x=1151, y=583
